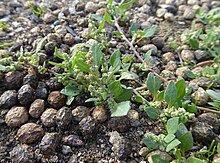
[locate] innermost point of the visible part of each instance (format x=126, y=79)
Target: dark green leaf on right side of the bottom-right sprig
x=186, y=141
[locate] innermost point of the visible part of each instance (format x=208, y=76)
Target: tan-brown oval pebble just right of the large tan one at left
x=36, y=108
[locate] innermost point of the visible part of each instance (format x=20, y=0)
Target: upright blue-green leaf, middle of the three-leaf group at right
x=170, y=94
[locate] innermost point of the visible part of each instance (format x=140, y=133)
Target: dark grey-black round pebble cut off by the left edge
x=8, y=99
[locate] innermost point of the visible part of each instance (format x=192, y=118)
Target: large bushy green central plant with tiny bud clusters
x=88, y=72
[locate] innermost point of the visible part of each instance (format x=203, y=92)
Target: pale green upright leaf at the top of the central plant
x=97, y=54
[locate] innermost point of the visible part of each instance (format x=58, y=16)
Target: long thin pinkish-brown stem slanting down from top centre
x=134, y=50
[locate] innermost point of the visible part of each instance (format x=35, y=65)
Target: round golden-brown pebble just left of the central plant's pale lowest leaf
x=99, y=114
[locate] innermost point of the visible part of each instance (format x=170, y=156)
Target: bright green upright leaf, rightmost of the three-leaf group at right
x=181, y=89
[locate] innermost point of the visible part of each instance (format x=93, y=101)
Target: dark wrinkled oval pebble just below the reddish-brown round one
x=64, y=118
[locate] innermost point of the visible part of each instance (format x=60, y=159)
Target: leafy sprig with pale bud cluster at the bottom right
x=177, y=140
